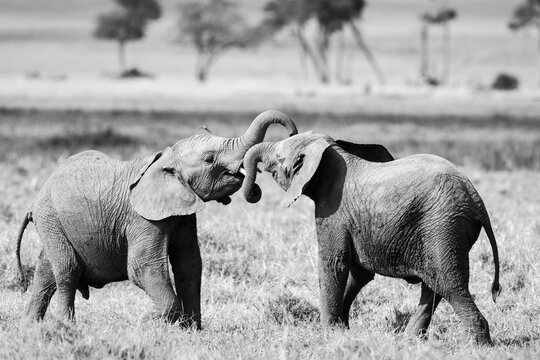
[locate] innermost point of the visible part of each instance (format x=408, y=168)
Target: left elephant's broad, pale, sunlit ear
x=160, y=191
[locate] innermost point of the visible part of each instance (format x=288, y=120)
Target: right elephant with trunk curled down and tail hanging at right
x=414, y=218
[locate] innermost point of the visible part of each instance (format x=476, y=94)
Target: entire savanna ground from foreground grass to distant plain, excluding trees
x=58, y=96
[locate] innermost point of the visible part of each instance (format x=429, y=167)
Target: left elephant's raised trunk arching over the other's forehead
x=257, y=130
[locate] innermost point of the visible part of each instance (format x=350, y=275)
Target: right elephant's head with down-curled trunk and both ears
x=293, y=162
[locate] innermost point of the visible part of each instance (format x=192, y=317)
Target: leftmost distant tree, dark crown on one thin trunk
x=126, y=23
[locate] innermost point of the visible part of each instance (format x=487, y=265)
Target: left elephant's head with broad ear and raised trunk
x=178, y=180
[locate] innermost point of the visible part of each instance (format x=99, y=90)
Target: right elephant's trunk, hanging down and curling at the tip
x=259, y=152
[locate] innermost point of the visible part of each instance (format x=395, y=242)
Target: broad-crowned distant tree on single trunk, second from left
x=213, y=27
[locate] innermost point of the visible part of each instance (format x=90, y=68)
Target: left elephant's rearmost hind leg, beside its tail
x=44, y=287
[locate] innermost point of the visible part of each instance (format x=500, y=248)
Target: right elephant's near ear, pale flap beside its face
x=304, y=167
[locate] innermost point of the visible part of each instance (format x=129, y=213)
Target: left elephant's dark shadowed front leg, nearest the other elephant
x=185, y=258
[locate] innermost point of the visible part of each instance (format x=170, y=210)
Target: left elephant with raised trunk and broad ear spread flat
x=101, y=220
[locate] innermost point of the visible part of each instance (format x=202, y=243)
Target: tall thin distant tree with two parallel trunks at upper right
x=440, y=17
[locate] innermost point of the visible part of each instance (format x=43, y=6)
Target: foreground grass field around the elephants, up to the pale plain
x=260, y=290
